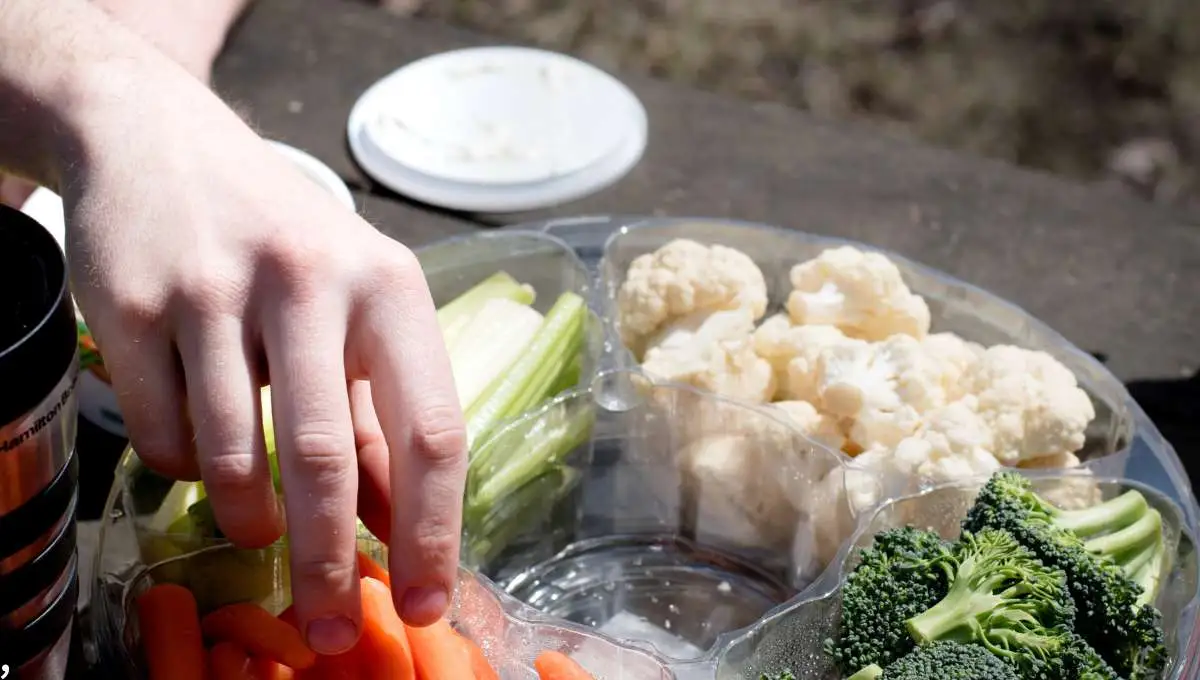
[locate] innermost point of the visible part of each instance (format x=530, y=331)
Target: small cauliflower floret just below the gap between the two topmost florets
x=794, y=352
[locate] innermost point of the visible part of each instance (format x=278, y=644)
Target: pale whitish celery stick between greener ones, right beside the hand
x=489, y=345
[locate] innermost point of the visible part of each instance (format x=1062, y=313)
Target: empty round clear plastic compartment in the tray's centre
x=670, y=526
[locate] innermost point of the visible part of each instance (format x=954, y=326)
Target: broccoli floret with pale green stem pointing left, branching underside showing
x=1001, y=598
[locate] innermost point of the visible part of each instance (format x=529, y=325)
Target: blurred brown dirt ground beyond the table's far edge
x=1093, y=89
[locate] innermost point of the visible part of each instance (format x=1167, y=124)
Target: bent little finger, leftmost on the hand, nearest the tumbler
x=149, y=387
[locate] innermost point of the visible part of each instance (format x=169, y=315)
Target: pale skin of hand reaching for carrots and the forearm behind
x=207, y=268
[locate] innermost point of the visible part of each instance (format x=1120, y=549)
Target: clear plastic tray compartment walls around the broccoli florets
x=793, y=637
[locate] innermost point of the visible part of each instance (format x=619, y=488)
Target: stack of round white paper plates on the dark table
x=497, y=130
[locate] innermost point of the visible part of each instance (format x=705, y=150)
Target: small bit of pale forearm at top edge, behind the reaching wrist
x=190, y=32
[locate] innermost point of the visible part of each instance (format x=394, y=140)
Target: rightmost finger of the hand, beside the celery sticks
x=418, y=408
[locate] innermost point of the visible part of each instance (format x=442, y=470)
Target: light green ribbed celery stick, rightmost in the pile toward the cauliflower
x=518, y=390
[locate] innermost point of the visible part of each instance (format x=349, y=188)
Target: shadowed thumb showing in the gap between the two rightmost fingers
x=375, y=486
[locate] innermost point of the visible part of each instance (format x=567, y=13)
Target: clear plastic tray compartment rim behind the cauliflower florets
x=1121, y=441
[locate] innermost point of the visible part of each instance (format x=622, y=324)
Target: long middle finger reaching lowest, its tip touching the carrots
x=305, y=346
